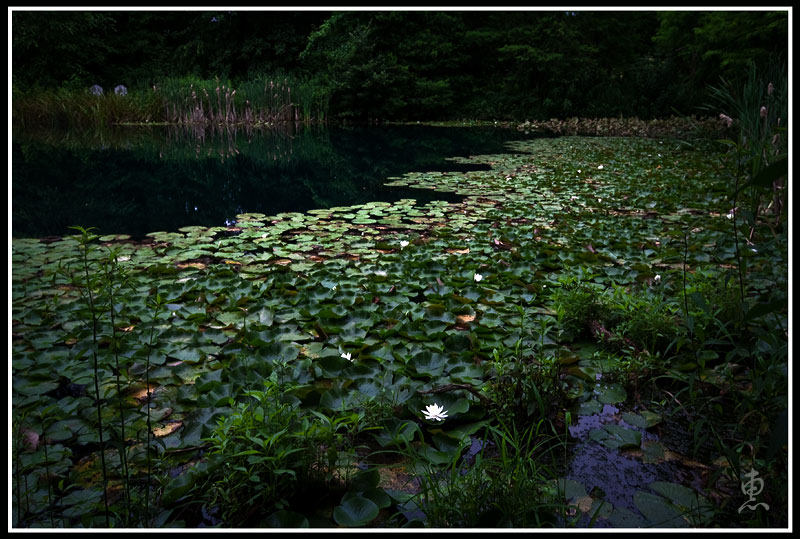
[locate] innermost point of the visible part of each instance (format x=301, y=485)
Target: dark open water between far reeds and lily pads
x=140, y=180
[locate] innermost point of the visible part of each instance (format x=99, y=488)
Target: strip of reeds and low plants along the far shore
x=265, y=103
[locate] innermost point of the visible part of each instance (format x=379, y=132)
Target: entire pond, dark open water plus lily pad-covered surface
x=366, y=316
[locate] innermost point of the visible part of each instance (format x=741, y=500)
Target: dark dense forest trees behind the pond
x=413, y=65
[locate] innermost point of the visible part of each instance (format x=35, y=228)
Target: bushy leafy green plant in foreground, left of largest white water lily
x=268, y=451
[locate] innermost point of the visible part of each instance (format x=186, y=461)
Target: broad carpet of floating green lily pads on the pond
x=375, y=303
